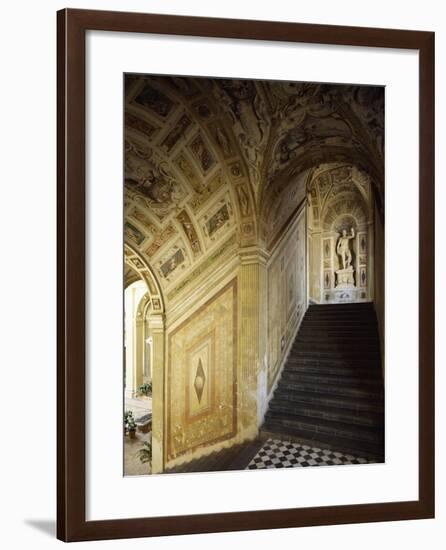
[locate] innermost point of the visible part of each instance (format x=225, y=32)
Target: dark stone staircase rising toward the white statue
x=331, y=391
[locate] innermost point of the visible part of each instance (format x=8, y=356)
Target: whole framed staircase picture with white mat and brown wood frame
x=245, y=275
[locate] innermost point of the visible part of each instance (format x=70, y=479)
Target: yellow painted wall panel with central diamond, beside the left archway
x=201, y=376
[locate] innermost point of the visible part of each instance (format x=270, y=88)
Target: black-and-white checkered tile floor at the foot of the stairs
x=285, y=454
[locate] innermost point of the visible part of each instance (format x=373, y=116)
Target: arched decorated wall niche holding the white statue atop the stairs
x=340, y=235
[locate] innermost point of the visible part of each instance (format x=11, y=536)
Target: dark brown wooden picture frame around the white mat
x=71, y=474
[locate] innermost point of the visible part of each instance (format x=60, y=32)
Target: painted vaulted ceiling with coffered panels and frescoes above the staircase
x=213, y=161
